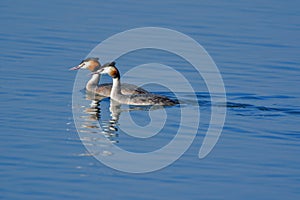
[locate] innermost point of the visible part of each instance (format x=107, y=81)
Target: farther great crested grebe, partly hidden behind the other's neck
x=92, y=85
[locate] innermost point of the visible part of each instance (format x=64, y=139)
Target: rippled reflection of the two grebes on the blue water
x=99, y=121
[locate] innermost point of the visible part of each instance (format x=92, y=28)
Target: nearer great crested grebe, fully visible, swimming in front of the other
x=131, y=99
